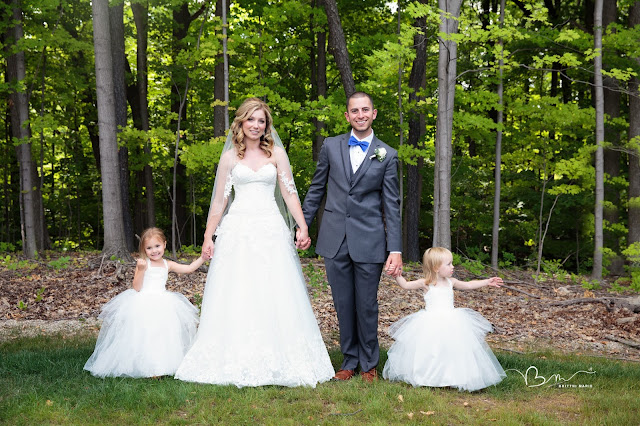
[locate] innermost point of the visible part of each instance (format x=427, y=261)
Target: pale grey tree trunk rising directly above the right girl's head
x=447, y=61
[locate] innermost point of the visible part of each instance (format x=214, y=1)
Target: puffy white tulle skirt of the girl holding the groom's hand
x=440, y=348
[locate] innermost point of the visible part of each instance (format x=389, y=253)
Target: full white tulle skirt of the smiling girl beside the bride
x=143, y=334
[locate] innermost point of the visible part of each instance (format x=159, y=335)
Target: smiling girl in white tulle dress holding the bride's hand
x=146, y=330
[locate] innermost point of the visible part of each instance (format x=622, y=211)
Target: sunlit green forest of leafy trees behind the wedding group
x=457, y=92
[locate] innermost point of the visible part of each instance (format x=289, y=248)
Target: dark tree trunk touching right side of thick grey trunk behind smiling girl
x=116, y=22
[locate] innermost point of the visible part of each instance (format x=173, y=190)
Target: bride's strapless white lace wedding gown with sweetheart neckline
x=256, y=326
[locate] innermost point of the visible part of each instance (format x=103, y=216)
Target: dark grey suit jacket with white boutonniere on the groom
x=356, y=202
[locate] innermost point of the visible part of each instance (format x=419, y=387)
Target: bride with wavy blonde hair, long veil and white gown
x=257, y=326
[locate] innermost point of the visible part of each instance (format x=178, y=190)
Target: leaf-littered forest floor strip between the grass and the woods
x=65, y=296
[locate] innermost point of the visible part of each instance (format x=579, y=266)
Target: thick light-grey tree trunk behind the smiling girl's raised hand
x=114, y=238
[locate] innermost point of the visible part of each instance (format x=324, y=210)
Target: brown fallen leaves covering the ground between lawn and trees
x=519, y=322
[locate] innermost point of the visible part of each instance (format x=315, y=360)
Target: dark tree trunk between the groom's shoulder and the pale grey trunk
x=416, y=132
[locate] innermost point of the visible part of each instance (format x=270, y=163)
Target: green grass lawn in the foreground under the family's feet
x=42, y=381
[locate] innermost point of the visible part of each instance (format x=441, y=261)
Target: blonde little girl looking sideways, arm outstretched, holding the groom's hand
x=441, y=345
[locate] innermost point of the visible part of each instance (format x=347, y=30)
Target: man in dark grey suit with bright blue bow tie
x=360, y=229
